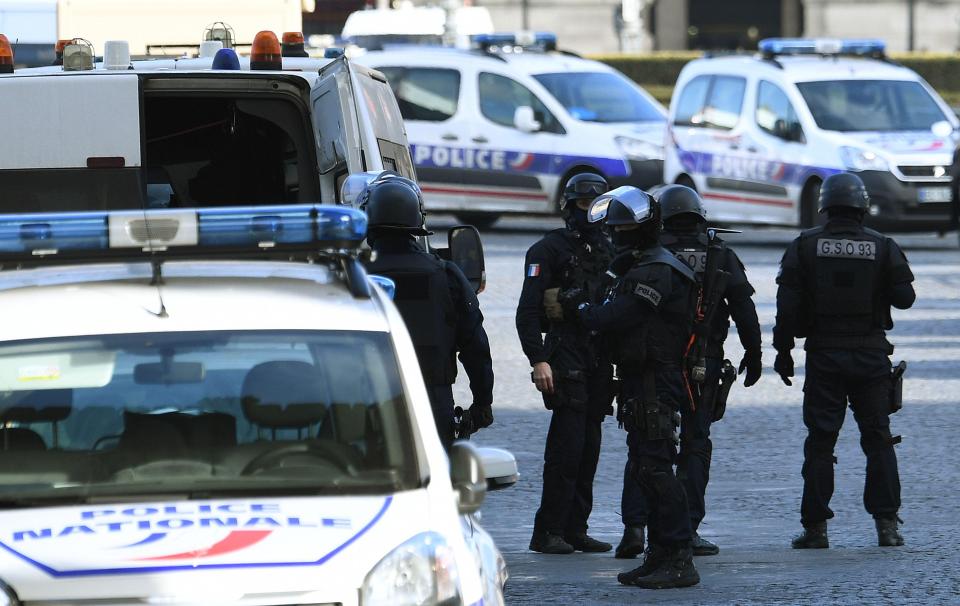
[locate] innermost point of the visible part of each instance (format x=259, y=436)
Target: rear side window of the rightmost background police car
x=711, y=101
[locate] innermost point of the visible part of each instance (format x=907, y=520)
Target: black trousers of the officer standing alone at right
x=834, y=378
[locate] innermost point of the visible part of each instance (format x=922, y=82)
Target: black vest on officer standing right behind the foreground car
x=424, y=300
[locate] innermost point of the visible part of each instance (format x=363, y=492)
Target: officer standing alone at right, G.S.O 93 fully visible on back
x=836, y=285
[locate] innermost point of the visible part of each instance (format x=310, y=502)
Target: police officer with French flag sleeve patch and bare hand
x=568, y=368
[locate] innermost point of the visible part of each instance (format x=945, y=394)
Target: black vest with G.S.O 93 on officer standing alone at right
x=843, y=267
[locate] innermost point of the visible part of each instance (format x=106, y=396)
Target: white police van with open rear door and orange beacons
x=272, y=128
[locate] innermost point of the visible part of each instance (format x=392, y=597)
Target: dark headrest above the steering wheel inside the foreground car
x=284, y=395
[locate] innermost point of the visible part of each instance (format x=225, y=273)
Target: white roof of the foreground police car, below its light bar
x=118, y=298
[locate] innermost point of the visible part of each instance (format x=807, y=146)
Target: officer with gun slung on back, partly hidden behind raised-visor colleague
x=686, y=236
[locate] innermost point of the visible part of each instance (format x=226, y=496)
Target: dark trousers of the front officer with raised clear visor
x=652, y=494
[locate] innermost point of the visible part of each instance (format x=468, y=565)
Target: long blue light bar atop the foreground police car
x=252, y=228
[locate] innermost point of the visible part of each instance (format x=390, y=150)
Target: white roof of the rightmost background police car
x=807, y=68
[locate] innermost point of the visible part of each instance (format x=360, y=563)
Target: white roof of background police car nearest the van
x=527, y=62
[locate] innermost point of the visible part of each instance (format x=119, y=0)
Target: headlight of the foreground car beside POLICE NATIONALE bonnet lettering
x=422, y=571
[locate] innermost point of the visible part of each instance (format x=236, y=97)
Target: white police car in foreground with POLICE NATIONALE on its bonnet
x=211, y=406
